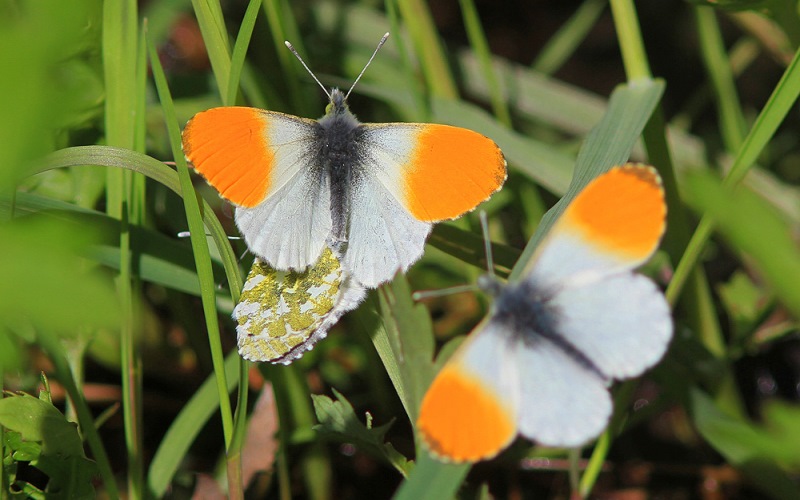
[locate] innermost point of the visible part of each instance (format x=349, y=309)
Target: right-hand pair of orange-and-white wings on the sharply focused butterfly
x=409, y=176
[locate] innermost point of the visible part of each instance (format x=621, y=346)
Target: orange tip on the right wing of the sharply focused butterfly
x=451, y=171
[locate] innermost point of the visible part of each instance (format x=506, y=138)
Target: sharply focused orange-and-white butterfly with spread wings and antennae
x=373, y=190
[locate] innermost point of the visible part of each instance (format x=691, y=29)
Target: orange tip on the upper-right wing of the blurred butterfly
x=623, y=210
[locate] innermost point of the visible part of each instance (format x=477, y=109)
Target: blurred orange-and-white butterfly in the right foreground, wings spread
x=540, y=365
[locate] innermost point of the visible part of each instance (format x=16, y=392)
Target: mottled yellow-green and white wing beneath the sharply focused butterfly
x=280, y=315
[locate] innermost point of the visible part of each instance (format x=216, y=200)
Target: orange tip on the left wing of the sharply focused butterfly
x=229, y=147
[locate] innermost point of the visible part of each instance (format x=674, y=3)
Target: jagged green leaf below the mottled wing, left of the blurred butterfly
x=337, y=418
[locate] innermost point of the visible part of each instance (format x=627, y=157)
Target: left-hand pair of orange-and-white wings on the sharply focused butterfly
x=264, y=163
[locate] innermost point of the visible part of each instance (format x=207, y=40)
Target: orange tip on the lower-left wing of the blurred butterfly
x=462, y=420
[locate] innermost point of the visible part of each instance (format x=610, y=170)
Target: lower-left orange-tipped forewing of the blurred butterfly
x=469, y=412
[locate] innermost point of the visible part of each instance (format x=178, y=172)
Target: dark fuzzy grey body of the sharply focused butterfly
x=339, y=157
